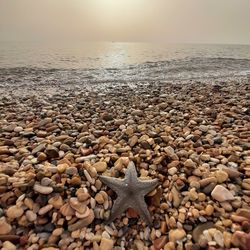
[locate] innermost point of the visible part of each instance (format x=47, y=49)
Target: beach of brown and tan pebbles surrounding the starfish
x=56, y=139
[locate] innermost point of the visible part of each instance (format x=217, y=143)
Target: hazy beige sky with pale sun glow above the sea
x=204, y=21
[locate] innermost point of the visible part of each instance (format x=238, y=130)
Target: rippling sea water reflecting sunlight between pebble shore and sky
x=120, y=62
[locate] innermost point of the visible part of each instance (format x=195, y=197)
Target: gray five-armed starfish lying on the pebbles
x=130, y=193
